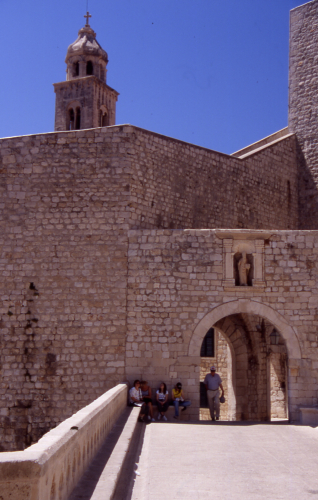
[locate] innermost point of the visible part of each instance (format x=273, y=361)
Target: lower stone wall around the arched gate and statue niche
x=175, y=280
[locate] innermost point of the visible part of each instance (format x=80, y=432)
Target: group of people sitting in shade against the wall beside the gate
x=140, y=395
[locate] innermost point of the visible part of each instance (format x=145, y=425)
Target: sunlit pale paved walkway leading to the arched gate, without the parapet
x=228, y=462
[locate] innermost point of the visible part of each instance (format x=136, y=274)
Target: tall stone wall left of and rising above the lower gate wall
x=67, y=200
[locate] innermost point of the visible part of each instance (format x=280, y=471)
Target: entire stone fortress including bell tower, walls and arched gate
x=121, y=249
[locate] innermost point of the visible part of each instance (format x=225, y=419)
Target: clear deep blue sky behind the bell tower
x=209, y=72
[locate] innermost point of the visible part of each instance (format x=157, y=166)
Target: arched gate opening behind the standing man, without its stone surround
x=251, y=357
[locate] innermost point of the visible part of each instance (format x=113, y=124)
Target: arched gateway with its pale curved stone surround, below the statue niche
x=252, y=348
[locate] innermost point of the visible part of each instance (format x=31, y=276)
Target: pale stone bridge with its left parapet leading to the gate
x=101, y=452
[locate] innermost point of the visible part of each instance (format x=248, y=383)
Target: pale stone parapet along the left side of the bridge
x=50, y=469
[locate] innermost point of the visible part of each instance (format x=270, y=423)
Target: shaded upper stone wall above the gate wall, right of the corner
x=178, y=185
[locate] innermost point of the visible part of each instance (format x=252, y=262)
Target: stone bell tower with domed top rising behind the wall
x=84, y=100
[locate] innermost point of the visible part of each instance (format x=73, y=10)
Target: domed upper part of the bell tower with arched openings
x=85, y=56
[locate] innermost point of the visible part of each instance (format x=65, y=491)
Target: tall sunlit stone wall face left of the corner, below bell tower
x=63, y=238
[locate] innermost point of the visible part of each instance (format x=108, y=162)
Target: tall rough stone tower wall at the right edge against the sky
x=303, y=104
